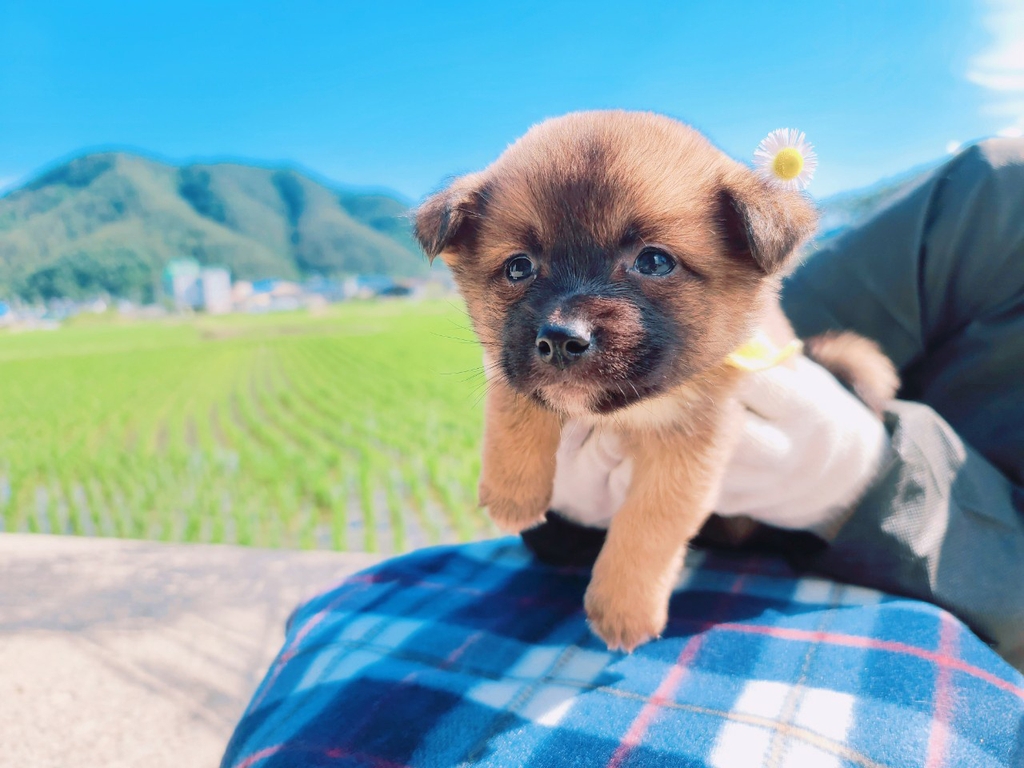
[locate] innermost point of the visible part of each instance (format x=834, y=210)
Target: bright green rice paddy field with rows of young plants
x=353, y=430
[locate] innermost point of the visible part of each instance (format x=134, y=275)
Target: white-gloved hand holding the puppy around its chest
x=807, y=450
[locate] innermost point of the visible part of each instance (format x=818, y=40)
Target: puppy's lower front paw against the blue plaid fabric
x=624, y=621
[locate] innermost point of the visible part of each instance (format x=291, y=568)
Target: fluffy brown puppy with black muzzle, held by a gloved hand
x=611, y=263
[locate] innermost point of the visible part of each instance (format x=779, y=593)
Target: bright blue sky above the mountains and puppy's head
x=403, y=95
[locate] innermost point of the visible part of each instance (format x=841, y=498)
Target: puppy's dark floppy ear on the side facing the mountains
x=447, y=221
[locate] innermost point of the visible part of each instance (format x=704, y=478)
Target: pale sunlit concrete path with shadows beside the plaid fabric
x=134, y=654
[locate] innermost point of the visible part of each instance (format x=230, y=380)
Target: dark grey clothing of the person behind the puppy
x=937, y=279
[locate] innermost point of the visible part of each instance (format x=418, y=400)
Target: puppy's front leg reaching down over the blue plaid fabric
x=674, y=477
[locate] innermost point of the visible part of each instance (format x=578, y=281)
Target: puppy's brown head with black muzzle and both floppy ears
x=607, y=258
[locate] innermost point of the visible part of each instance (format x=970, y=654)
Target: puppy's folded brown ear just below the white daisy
x=762, y=222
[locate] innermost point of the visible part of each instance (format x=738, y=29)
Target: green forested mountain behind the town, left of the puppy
x=111, y=222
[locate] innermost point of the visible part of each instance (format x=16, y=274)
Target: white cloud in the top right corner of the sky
x=1000, y=68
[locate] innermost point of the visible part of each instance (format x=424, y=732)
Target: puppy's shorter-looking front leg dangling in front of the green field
x=519, y=466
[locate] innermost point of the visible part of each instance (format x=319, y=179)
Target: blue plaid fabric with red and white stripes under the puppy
x=478, y=655
